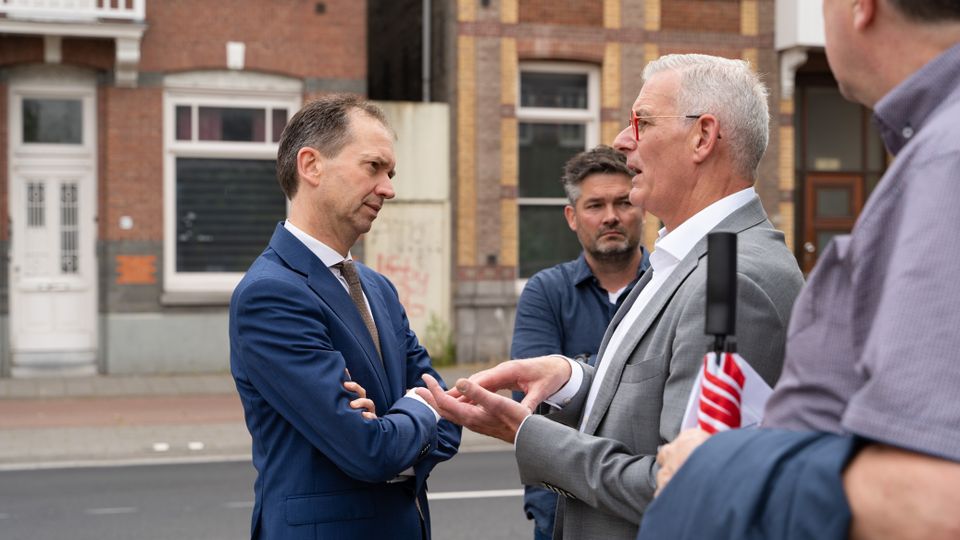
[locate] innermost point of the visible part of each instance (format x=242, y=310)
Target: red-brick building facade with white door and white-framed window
x=118, y=125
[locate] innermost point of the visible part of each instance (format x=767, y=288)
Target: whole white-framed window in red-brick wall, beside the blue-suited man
x=221, y=197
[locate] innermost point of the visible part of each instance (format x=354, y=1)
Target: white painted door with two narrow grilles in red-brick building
x=53, y=267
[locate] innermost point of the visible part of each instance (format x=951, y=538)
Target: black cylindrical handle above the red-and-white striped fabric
x=722, y=288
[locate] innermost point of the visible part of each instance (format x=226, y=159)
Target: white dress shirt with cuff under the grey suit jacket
x=669, y=249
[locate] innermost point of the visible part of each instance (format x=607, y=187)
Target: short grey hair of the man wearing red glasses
x=731, y=91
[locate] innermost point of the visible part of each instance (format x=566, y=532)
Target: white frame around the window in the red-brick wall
x=205, y=89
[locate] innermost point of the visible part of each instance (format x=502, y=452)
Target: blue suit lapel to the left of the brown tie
x=330, y=291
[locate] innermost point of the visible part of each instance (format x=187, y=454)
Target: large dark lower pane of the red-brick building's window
x=227, y=210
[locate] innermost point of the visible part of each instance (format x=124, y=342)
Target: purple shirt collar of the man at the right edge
x=904, y=110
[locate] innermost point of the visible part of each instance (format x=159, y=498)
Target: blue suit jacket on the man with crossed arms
x=323, y=469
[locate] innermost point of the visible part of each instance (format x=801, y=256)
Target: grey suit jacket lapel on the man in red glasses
x=745, y=217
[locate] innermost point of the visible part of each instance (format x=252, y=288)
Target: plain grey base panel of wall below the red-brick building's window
x=166, y=343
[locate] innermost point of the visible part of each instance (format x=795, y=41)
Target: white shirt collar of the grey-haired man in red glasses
x=672, y=246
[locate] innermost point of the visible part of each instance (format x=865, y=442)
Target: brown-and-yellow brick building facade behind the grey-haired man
x=533, y=76
